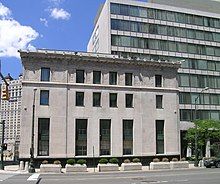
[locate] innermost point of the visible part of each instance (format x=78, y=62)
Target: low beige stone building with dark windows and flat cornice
x=84, y=101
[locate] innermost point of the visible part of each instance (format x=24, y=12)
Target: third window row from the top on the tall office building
x=164, y=45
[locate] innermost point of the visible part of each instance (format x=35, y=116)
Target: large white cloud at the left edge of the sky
x=13, y=35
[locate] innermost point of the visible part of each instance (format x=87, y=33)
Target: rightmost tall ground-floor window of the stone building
x=159, y=136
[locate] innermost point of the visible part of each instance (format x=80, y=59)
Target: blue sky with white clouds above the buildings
x=55, y=24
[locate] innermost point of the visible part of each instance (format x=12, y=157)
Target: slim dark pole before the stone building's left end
x=31, y=166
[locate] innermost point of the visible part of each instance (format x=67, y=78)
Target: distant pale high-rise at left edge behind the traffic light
x=11, y=113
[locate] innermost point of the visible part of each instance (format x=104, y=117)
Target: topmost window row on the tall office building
x=127, y=10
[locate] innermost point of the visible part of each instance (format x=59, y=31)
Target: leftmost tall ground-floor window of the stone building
x=43, y=136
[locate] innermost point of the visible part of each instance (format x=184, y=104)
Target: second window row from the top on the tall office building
x=124, y=25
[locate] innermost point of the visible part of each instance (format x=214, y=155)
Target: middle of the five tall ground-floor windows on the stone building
x=105, y=137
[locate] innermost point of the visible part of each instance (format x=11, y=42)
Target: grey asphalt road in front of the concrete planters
x=191, y=176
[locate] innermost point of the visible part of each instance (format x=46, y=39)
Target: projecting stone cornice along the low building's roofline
x=52, y=55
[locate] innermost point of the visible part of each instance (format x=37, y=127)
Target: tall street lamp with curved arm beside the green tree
x=196, y=163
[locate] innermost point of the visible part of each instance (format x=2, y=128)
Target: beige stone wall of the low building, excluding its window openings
x=63, y=113
